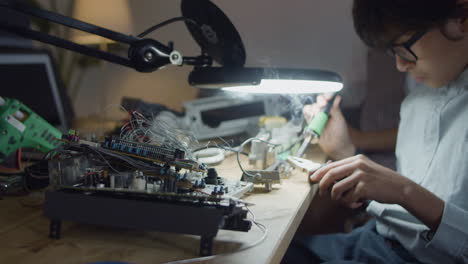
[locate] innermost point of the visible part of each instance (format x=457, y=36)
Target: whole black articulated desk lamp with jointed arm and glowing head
x=214, y=33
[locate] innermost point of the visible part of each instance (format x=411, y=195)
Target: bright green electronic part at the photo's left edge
x=20, y=127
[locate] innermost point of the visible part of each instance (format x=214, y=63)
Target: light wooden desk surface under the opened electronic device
x=24, y=231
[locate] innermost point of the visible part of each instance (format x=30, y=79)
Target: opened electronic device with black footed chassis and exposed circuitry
x=137, y=185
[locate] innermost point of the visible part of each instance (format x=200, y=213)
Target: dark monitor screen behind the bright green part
x=30, y=76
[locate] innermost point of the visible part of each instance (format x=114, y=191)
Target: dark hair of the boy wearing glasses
x=379, y=22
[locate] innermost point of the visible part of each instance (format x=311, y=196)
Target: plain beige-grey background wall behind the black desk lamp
x=276, y=33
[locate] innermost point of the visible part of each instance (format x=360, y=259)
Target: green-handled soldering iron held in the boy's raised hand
x=315, y=128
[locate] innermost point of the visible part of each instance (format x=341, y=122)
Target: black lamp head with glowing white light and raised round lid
x=219, y=39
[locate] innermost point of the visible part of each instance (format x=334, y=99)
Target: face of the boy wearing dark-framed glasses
x=440, y=60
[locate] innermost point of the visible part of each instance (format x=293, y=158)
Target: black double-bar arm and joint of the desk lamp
x=144, y=55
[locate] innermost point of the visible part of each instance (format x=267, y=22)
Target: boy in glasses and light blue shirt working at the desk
x=421, y=210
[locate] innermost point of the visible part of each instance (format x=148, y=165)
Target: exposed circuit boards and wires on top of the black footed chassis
x=121, y=166
